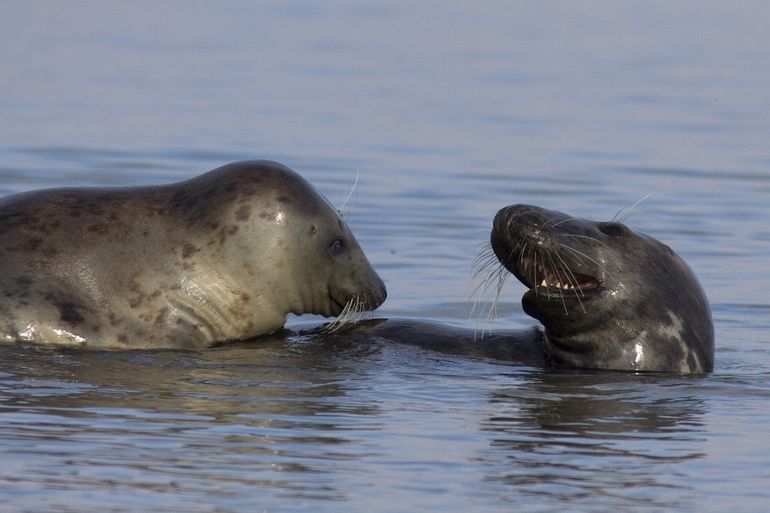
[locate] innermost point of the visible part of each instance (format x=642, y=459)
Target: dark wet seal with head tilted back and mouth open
x=608, y=297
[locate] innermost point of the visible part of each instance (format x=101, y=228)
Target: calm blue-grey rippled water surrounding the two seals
x=448, y=111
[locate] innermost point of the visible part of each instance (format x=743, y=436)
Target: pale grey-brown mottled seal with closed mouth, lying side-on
x=223, y=256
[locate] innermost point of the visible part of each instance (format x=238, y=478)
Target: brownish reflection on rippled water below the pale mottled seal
x=217, y=420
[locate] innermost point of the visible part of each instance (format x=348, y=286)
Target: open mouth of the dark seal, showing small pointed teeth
x=548, y=280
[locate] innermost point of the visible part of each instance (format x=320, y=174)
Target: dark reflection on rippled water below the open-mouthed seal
x=599, y=438
